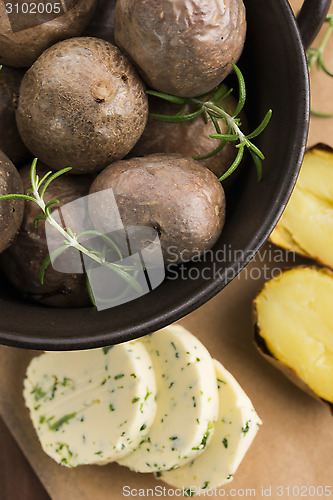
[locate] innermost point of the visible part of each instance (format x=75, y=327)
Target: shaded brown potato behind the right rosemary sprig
x=189, y=138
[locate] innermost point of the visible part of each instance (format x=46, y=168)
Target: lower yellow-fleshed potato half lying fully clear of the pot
x=296, y=321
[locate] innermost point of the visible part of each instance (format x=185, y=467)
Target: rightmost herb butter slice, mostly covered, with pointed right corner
x=234, y=432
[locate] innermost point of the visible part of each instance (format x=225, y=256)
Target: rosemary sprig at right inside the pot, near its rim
x=212, y=109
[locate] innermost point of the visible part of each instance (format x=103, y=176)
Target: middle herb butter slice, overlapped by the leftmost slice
x=187, y=401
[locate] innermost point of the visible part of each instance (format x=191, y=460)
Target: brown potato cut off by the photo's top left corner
x=24, y=36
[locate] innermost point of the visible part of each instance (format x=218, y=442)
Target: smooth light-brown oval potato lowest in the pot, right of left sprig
x=174, y=194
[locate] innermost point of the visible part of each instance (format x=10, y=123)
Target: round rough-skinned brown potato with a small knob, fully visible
x=81, y=105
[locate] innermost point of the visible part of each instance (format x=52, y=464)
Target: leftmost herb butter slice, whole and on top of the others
x=91, y=407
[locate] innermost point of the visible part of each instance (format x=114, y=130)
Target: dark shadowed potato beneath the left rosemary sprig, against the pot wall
x=22, y=261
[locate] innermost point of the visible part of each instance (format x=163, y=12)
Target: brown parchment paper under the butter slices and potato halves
x=294, y=447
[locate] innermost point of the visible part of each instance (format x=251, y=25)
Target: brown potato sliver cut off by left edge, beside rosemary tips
x=11, y=211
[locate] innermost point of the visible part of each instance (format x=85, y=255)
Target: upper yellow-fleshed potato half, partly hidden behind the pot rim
x=306, y=225
